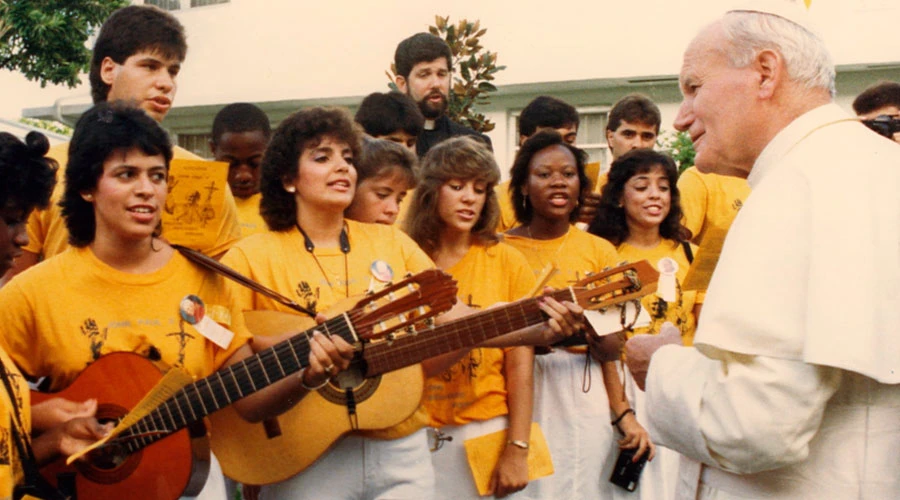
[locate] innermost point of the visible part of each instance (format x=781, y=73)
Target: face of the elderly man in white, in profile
x=717, y=110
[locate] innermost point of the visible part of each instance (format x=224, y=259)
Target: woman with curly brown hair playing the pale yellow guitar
x=314, y=255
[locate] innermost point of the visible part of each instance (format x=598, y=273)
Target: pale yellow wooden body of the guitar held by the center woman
x=274, y=450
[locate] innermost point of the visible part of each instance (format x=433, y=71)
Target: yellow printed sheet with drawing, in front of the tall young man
x=193, y=211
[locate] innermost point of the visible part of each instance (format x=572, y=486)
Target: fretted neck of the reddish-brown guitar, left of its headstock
x=205, y=396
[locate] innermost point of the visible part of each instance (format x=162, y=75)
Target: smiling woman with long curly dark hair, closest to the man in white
x=639, y=212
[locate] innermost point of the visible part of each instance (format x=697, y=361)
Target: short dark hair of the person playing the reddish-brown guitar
x=100, y=132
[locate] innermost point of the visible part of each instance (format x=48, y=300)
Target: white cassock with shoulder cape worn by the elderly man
x=791, y=390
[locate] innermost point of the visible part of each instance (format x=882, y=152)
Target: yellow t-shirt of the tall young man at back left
x=48, y=235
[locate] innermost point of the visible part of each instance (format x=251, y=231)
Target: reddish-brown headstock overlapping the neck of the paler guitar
x=403, y=305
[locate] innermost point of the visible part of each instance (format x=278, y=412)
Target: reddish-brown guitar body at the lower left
x=161, y=471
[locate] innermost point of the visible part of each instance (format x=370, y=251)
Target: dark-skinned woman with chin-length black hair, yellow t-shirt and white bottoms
x=547, y=187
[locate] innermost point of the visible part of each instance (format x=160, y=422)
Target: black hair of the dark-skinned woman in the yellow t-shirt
x=521, y=168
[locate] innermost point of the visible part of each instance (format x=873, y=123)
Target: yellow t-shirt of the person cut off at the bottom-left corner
x=11, y=472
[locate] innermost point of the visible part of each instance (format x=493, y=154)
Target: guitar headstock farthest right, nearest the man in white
x=614, y=286
